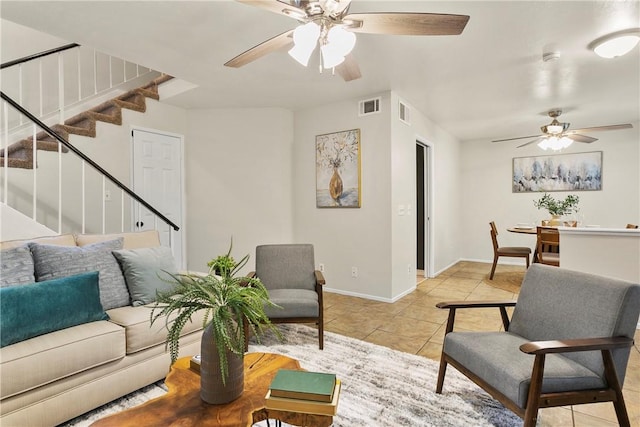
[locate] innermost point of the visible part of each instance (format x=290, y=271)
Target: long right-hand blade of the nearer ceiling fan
x=424, y=24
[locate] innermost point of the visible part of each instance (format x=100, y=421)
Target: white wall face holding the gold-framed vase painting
x=347, y=237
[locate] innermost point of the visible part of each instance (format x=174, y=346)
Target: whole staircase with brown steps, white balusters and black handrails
x=67, y=193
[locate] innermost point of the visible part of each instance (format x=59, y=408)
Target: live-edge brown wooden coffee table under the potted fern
x=182, y=406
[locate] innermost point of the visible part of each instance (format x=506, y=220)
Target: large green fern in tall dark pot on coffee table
x=230, y=302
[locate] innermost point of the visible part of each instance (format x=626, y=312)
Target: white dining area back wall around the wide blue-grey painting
x=487, y=195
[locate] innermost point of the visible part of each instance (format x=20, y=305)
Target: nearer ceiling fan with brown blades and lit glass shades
x=329, y=24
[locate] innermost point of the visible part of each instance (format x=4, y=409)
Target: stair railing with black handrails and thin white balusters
x=35, y=123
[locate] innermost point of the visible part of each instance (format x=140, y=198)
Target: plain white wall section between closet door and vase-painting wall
x=239, y=182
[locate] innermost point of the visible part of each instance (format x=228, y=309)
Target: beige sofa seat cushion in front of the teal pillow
x=42, y=360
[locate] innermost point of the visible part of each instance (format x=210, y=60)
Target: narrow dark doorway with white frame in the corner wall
x=423, y=209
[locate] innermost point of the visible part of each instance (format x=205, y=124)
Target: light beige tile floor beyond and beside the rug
x=414, y=325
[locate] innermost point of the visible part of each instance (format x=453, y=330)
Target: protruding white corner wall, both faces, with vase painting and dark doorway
x=375, y=238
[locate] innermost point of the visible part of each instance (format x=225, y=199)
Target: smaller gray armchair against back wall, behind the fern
x=288, y=272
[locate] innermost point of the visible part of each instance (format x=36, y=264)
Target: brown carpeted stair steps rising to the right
x=20, y=153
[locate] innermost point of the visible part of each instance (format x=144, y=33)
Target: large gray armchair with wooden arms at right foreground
x=567, y=343
